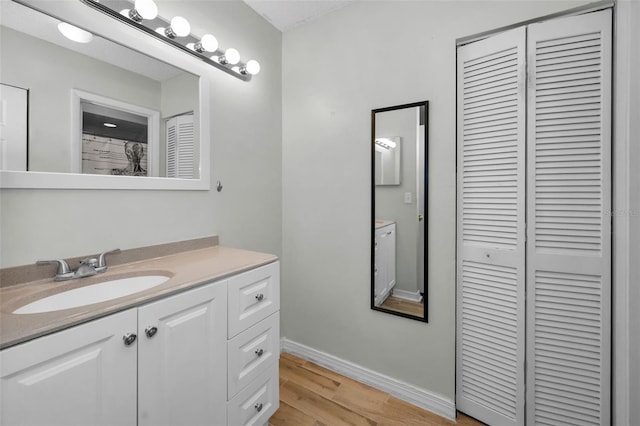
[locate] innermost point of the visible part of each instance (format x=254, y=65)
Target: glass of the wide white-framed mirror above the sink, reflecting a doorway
x=91, y=108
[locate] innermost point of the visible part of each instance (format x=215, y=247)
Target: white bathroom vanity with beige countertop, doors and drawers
x=202, y=348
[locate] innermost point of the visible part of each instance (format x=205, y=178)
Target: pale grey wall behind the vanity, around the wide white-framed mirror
x=245, y=153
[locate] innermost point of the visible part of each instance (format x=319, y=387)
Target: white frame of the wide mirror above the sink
x=81, y=15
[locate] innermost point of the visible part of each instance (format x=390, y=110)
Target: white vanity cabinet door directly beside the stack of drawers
x=182, y=362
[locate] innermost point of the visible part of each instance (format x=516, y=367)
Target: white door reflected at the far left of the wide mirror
x=13, y=128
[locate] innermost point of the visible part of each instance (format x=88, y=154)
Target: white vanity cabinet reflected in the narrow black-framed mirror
x=384, y=262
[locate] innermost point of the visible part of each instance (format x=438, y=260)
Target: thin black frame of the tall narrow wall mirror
x=424, y=104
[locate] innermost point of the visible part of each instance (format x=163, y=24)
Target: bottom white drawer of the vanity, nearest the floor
x=257, y=402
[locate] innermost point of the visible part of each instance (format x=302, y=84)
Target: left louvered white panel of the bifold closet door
x=491, y=209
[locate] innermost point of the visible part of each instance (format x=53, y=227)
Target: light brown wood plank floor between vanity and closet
x=311, y=395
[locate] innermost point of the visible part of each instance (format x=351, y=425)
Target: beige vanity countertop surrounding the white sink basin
x=186, y=270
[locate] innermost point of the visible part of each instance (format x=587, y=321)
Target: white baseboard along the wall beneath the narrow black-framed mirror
x=419, y=397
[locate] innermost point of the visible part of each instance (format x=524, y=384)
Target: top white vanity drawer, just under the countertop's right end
x=253, y=296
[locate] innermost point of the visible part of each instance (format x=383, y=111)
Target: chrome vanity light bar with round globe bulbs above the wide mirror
x=143, y=15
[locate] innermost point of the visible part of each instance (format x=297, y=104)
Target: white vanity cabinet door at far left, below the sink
x=84, y=375
